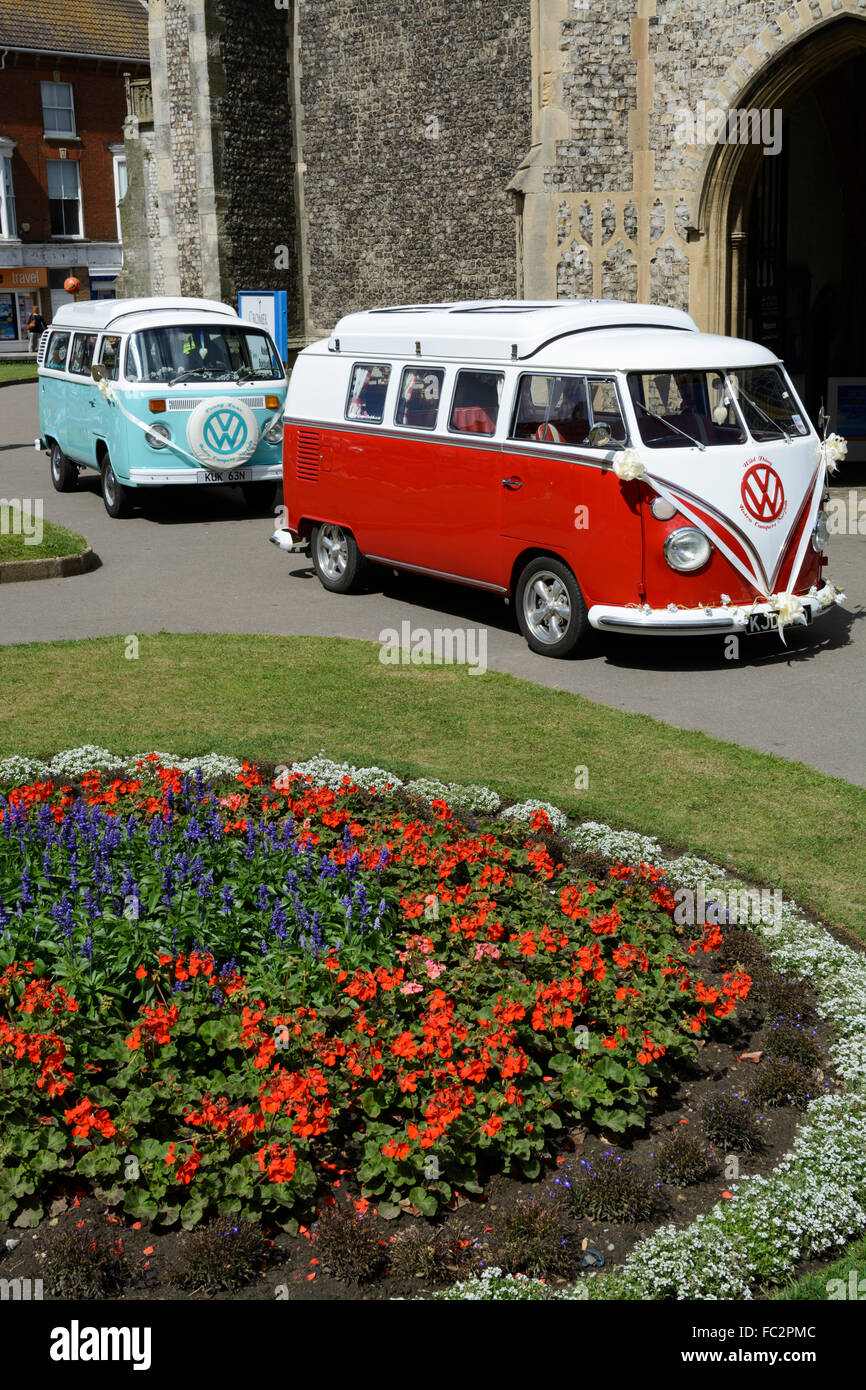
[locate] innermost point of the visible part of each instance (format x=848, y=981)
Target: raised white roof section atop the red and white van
x=496, y=329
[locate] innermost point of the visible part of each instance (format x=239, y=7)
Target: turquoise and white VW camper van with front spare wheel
x=154, y=393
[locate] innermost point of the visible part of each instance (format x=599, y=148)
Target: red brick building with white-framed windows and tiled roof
x=62, y=149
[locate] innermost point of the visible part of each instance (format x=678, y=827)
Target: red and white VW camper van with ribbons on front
x=594, y=462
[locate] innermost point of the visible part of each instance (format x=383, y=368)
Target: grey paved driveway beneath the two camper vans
x=201, y=562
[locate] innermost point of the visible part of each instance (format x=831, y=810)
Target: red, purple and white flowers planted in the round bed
x=218, y=1001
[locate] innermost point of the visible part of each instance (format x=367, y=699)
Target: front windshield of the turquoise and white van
x=215, y=352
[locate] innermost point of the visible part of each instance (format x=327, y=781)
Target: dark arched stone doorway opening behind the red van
x=764, y=270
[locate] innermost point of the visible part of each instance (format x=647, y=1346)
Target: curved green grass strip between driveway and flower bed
x=284, y=698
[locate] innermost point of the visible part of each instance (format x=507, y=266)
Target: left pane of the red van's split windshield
x=683, y=409
